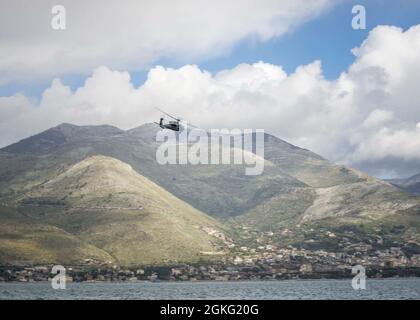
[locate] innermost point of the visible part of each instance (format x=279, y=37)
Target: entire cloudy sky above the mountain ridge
x=294, y=68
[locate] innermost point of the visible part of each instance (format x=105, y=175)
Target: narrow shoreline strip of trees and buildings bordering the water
x=190, y=273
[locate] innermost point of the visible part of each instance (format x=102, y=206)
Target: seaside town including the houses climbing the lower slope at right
x=256, y=256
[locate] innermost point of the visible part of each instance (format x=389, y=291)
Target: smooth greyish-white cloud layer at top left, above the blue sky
x=132, y=35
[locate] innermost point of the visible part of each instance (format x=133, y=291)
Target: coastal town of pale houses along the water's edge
x=264, y=263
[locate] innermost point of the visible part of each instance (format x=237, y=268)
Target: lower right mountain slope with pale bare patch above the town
x=352, y=202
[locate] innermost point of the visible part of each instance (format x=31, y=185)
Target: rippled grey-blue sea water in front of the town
x=407, y=288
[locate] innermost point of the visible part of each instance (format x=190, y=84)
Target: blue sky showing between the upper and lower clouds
x=328, y=38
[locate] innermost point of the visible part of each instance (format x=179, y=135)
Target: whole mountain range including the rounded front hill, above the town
x=298, y=191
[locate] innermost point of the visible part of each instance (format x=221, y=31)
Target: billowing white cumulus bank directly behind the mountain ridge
x=368, y=117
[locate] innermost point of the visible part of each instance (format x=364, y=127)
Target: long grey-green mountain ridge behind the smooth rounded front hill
x=222, y=191
